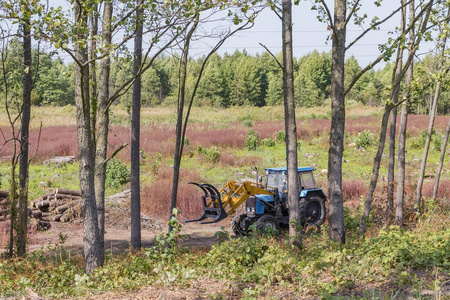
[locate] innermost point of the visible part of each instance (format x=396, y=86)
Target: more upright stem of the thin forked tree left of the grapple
x=179, y=127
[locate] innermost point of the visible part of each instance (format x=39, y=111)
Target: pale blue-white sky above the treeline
x=309, y=34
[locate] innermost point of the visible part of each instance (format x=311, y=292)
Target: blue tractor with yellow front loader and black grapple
x=266, y=204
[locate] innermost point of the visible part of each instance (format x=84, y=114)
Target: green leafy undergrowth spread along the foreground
x=321, y=267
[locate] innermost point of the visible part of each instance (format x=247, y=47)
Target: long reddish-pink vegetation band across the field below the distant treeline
x=62, y=140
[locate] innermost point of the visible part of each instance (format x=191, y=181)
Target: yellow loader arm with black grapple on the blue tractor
x=234, y=194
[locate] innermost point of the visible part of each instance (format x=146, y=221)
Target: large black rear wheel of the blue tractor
x=312, y=211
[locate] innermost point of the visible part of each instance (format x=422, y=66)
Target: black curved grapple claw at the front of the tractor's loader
x=212, y=205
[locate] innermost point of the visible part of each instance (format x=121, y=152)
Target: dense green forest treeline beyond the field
x=236, y=79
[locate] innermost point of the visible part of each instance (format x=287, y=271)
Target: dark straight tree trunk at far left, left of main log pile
x=23, y=166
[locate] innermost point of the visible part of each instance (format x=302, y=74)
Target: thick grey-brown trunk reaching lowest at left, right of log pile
x=85, y=146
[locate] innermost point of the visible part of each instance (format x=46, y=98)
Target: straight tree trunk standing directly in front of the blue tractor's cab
x=290, y=124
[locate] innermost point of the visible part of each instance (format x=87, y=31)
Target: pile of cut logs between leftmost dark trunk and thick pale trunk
x=62, y=205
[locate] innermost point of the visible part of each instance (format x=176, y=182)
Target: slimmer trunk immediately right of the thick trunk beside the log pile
x=102, y=127
